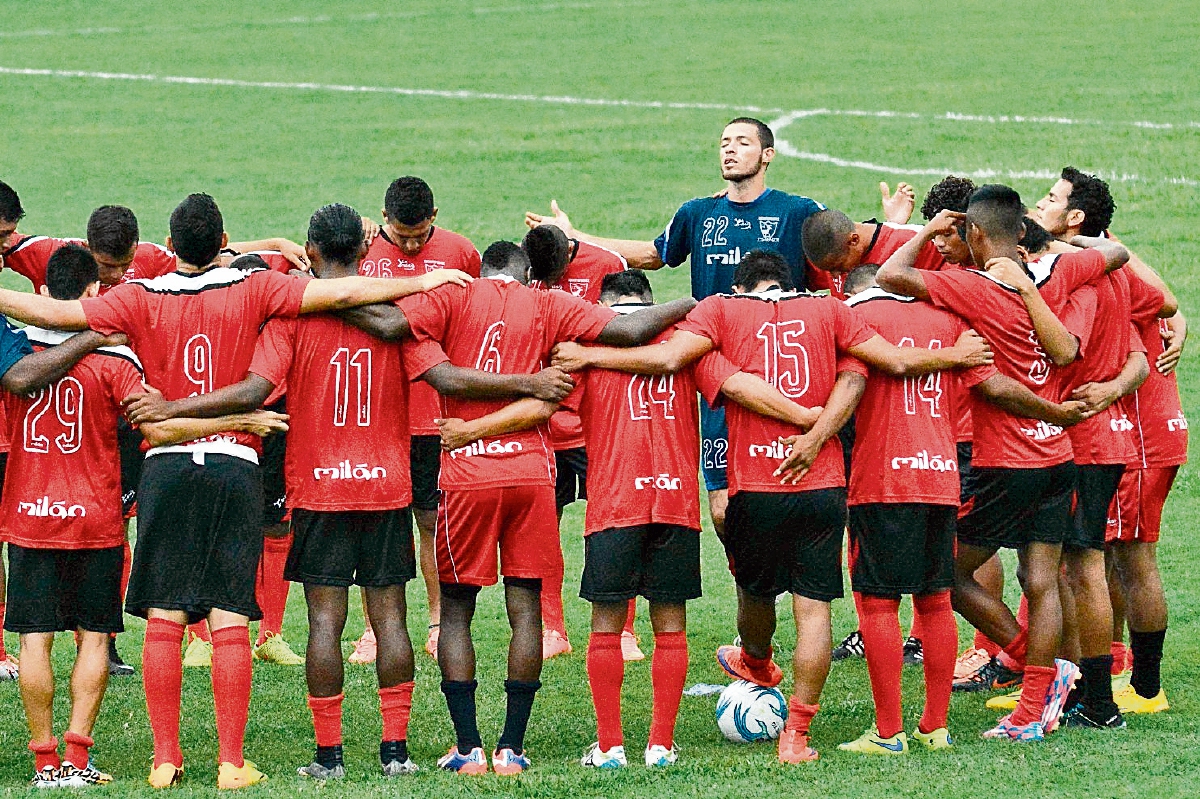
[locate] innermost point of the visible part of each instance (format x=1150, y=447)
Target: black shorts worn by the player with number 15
x=788, y=543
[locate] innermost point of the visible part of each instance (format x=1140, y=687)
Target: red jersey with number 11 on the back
x=347, y=398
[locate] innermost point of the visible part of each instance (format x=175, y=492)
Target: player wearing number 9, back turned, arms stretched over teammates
x=200, y=537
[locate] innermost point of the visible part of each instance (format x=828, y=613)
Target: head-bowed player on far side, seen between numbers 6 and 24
x=580, y=269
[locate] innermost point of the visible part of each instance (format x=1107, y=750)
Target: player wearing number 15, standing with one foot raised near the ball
x=783, y=537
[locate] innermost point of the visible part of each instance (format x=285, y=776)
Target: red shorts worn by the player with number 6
x=519, y=524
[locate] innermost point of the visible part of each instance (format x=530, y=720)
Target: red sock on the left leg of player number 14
x=879, y=621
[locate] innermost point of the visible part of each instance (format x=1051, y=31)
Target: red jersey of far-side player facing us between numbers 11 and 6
x=445, y=250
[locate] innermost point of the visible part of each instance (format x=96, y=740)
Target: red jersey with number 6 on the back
x=496, y=326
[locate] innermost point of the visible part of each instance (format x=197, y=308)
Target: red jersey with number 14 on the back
x=905, y=428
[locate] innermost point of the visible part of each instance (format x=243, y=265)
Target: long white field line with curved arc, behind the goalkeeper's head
x=779, y=124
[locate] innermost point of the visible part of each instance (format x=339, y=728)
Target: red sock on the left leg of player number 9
x=163, y=675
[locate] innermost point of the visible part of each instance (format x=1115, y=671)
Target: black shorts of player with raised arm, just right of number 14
x=1013, y=508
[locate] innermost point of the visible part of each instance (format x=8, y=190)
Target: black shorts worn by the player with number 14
x=902, y=549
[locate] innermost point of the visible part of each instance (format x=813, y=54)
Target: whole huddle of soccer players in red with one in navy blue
x=1001, y=377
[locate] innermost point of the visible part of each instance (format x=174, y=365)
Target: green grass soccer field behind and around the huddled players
x=615, y=110
